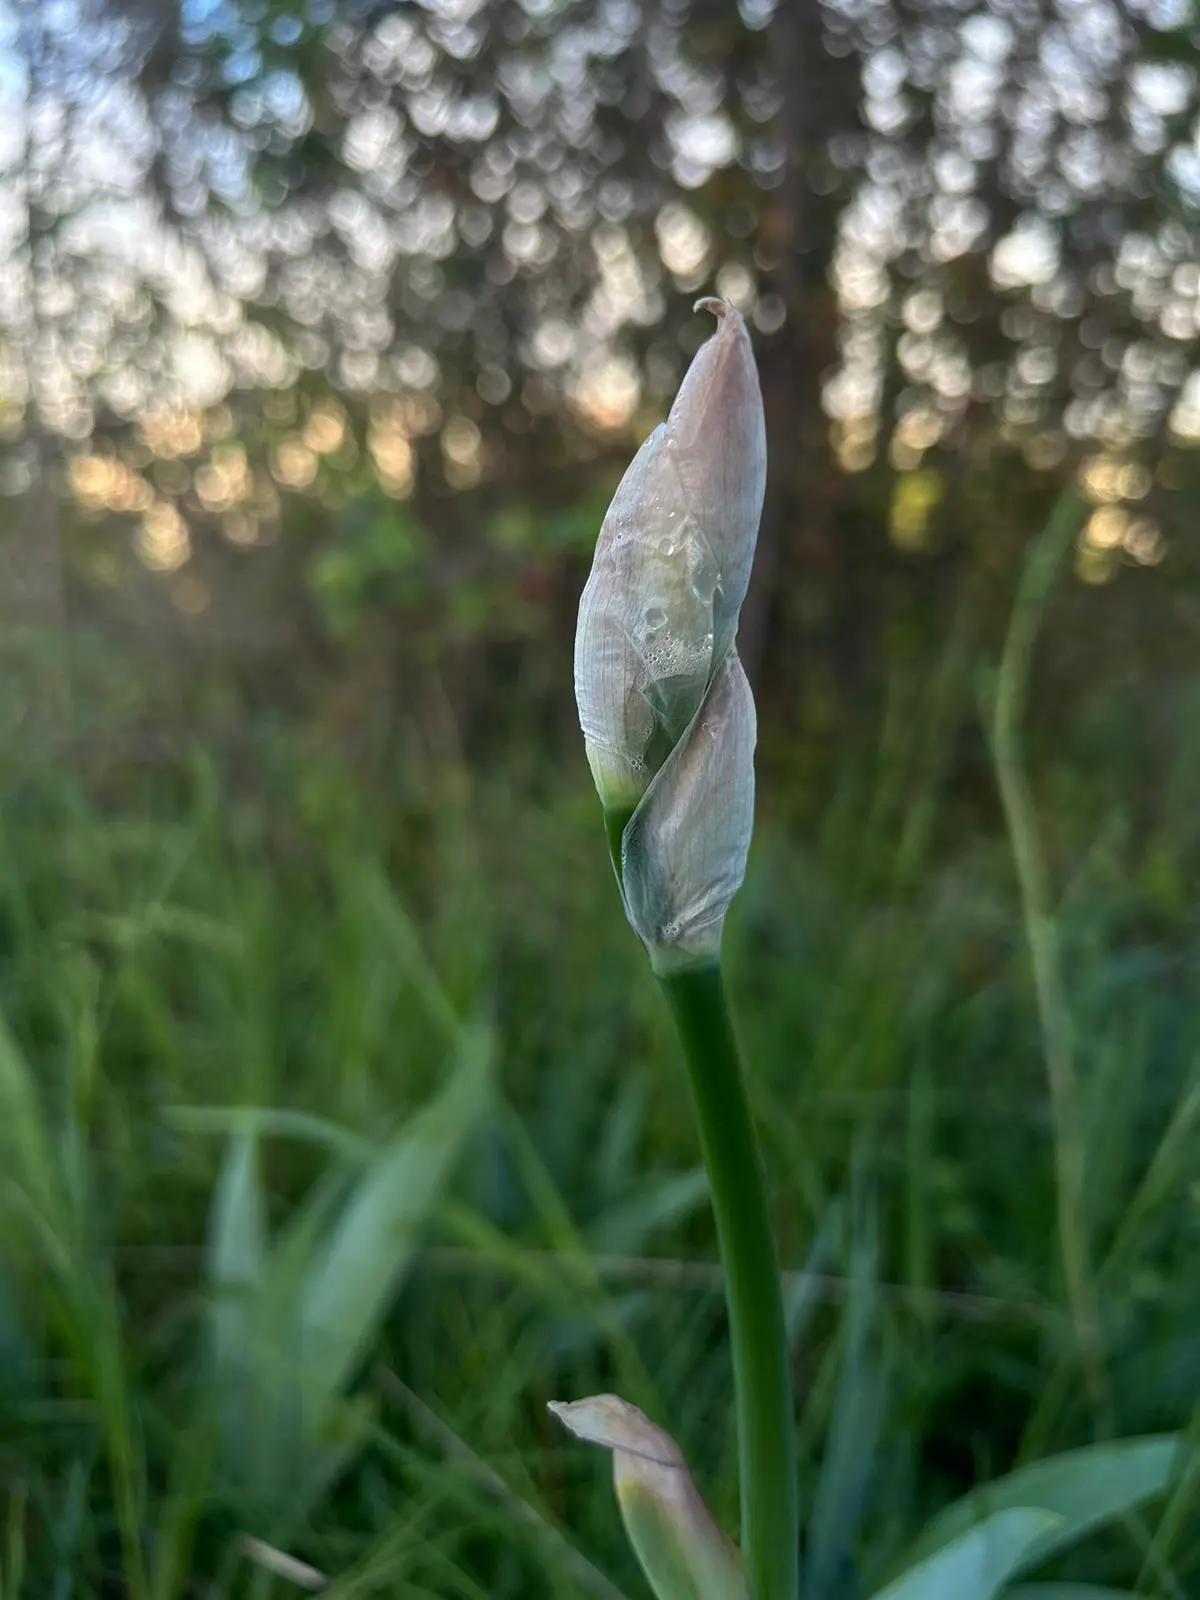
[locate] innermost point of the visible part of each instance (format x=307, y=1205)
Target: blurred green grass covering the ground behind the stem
x=230, y=999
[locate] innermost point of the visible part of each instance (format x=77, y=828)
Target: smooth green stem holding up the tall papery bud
x=758, y=1330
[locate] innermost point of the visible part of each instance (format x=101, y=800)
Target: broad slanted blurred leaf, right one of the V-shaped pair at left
x=372, y=1247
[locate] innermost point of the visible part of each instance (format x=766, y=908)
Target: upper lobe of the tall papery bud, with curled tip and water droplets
x=660, y=609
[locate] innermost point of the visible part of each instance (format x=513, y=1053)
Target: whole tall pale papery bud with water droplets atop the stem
x=665, y=706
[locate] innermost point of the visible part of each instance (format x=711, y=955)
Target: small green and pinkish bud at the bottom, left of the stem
x=681, y=1548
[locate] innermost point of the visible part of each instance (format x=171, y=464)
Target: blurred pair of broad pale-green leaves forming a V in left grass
x=292, y=1321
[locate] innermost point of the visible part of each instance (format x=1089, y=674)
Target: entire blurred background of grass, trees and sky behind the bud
x=342, y=1121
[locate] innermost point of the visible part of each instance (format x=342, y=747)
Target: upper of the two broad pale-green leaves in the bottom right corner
x=1084, y=1489
